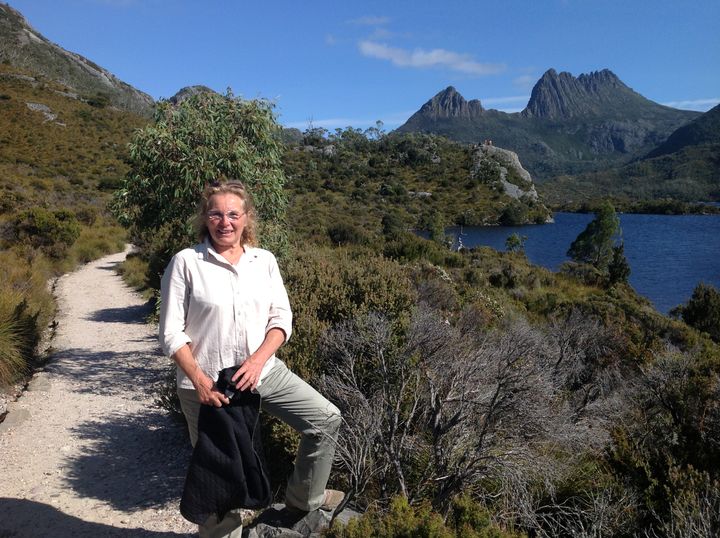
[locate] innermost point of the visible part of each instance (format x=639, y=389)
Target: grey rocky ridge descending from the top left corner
x=23, y=47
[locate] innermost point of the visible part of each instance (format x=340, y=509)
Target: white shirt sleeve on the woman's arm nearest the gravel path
x=174, y=298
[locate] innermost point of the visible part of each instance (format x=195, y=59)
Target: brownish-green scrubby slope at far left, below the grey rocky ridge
x=55, y=150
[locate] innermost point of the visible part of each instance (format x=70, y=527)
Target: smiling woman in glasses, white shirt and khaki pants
x=224, y=304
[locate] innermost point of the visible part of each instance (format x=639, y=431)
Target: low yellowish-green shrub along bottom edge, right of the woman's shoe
x=467, y=520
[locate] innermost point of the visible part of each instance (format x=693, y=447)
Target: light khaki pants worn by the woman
x=289, y=398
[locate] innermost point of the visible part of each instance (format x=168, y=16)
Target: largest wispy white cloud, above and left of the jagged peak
x=423, y=59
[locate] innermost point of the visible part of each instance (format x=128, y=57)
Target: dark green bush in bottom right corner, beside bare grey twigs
x=669, y=432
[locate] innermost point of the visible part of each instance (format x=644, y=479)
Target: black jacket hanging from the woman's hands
x=227, y=469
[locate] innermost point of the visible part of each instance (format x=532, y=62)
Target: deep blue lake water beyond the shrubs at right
x=668, y=254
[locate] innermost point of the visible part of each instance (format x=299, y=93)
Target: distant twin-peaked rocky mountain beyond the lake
x=570, y=125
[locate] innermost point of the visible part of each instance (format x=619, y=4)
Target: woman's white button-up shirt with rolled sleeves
x=222, y=310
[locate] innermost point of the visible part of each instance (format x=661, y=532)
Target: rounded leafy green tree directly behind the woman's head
x=204, y=138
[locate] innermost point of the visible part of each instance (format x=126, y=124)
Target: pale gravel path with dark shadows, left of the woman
x=84, y=451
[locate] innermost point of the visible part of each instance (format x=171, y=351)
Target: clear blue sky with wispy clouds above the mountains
x=339, y=63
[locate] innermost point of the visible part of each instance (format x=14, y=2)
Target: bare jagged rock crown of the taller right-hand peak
x=561, y=95
